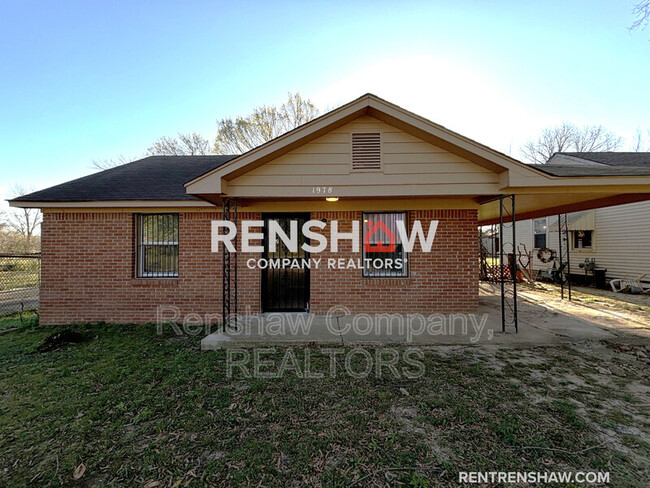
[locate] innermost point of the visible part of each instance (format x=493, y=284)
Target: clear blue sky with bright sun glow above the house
x=94, y=80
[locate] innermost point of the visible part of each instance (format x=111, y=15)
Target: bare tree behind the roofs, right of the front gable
x=568, y=137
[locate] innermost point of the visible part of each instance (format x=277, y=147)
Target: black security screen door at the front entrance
x=285, y=289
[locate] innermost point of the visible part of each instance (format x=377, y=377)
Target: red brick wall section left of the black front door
x=88, y=267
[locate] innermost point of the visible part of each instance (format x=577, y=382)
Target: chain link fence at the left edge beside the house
x=20, y=279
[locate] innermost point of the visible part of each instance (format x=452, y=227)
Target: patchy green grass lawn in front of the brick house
x=138, y=408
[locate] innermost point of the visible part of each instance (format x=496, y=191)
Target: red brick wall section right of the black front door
x=443, y=280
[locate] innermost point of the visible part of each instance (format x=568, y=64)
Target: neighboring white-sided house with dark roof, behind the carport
x=617, y=237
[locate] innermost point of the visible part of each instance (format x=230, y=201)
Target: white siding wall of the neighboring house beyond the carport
x=621, y=241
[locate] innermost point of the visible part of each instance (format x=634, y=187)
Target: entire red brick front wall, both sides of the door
x=88, y=271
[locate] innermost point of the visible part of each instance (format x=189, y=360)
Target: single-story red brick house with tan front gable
x=118, y=244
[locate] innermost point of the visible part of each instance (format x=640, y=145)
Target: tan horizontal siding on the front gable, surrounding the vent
x=408, y=165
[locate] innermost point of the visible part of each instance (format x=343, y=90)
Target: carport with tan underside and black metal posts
x=563, y=187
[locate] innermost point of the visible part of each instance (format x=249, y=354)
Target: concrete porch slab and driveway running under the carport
x=542, y=320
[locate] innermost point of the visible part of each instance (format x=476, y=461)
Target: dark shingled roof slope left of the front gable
x=152, y=178
